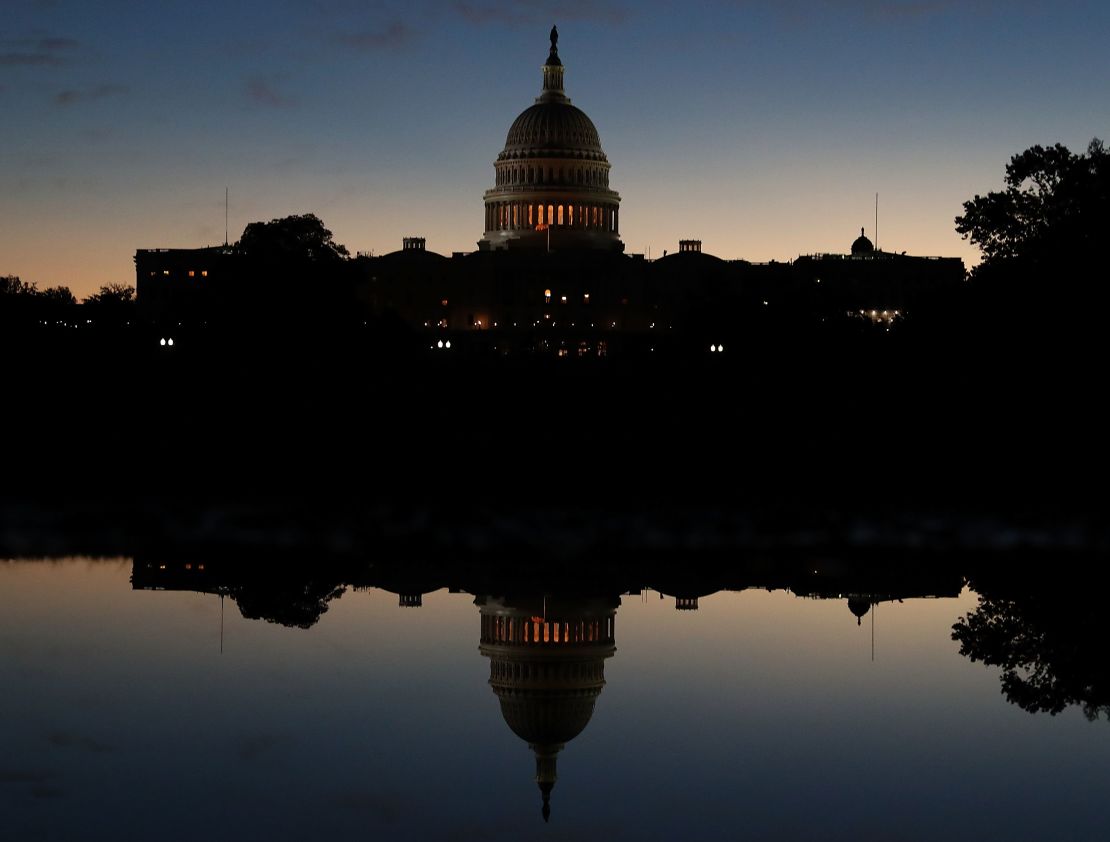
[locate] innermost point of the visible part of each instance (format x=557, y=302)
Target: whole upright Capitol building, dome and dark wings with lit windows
x=550, y=276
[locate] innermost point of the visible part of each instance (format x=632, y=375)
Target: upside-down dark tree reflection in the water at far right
x=1051, y=645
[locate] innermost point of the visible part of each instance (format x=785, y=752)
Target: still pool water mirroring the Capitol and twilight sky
x=142, y=703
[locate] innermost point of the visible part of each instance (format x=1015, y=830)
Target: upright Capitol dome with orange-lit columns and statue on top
x=552, y=179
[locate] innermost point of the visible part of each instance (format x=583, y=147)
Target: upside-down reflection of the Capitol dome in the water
x=548, y=668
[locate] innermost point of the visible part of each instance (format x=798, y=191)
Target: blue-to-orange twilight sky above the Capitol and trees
x=764, y=128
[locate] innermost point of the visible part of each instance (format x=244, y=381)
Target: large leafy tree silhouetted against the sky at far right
x=1055, y=208
